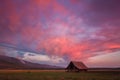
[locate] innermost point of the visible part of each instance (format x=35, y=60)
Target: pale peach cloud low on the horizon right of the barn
x=105, y=60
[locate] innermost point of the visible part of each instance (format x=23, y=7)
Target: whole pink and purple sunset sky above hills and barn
x=59, y=31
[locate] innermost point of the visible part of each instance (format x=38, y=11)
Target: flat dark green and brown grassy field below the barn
x=58, y=75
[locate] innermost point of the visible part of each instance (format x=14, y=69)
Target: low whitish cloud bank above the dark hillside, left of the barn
x=39, y=58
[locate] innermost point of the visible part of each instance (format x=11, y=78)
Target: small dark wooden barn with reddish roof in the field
x=75, y=66
